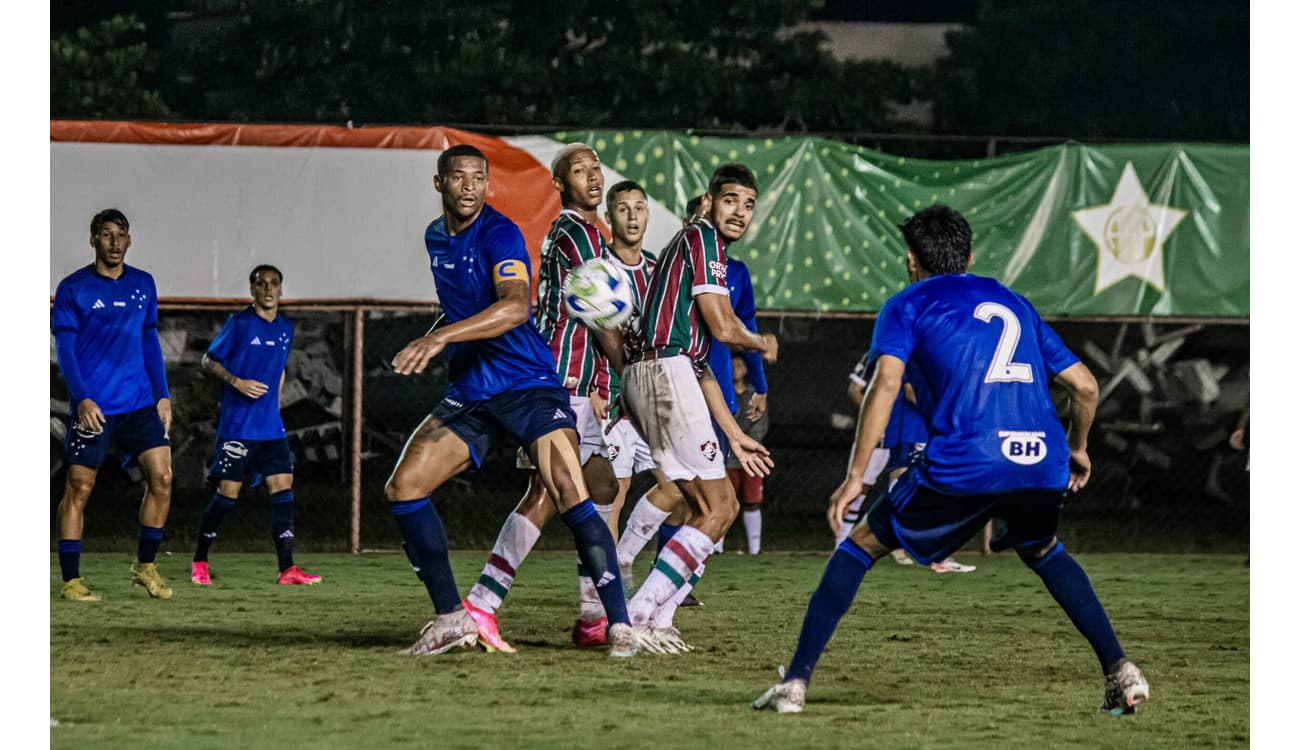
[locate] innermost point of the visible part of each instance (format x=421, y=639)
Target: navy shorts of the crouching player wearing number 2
x=933, y=526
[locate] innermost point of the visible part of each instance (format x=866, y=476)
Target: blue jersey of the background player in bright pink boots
x=252, y=348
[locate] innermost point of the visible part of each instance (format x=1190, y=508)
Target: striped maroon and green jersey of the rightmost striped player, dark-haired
x=694, y=263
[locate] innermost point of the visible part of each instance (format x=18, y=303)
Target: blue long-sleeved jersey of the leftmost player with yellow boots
x=106, y=332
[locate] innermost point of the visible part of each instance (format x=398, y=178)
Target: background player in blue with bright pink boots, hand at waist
x=252, y=443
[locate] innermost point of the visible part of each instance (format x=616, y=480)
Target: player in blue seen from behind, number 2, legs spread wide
x=981, y=362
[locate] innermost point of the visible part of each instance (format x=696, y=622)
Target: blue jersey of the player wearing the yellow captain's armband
x=466, y=268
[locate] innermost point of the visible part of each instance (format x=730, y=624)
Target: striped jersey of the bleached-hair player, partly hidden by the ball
x=570, y=244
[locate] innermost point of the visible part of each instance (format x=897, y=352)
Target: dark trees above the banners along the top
x=1065, y=68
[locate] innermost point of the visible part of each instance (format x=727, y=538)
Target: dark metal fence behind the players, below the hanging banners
x=1164, y=476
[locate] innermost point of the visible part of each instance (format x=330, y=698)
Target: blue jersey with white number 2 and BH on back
x=981, y=362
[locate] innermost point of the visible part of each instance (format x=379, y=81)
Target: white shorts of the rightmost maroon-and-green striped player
x=669, y=410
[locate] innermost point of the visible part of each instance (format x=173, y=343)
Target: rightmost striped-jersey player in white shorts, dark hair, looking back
x=686, y=309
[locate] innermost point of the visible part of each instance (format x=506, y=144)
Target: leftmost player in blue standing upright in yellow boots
x=105, y=323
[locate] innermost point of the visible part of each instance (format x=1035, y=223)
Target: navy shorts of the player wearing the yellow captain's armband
x=514, y=417
